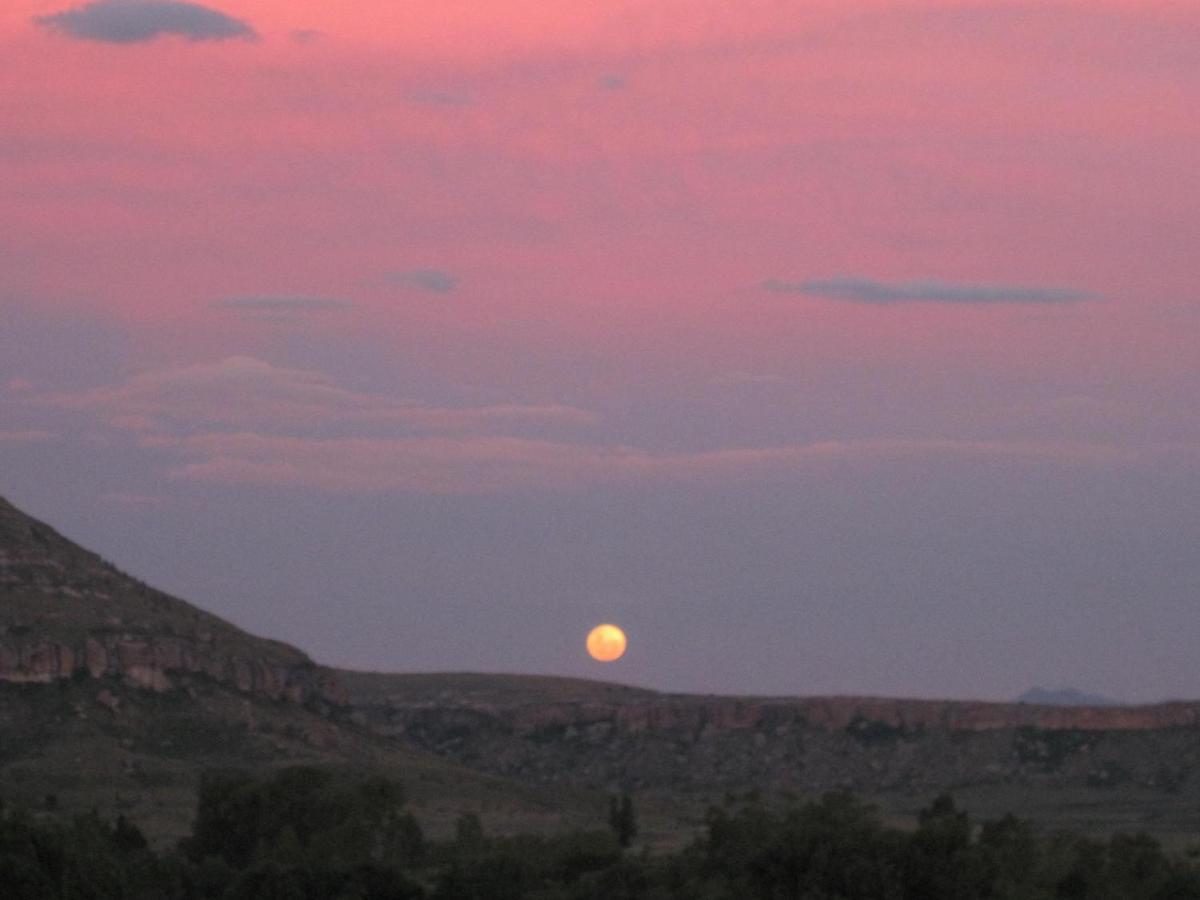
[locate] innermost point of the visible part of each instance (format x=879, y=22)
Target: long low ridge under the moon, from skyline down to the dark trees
x=1091, y=769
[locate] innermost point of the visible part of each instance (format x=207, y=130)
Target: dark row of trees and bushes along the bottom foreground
x=313, y=835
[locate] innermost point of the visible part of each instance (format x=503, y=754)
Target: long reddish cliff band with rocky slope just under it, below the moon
x=805, y=745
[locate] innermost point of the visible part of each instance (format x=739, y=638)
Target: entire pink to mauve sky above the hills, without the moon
x=826, y=347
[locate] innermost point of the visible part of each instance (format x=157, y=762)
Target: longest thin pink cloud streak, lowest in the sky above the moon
x=491, y=465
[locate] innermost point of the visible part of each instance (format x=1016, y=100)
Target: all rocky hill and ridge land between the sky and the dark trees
x=116, y=695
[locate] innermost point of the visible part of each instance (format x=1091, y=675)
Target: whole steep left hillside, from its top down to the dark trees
x=115, y=695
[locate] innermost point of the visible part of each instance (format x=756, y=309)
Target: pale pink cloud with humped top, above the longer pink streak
x=248, y=393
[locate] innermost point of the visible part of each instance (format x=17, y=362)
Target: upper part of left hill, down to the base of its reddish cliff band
x=65, y=613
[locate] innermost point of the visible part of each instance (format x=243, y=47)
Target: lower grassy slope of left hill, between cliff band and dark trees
x=145, y=759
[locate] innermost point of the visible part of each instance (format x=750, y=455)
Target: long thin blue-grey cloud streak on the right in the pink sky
x=867, y=291
